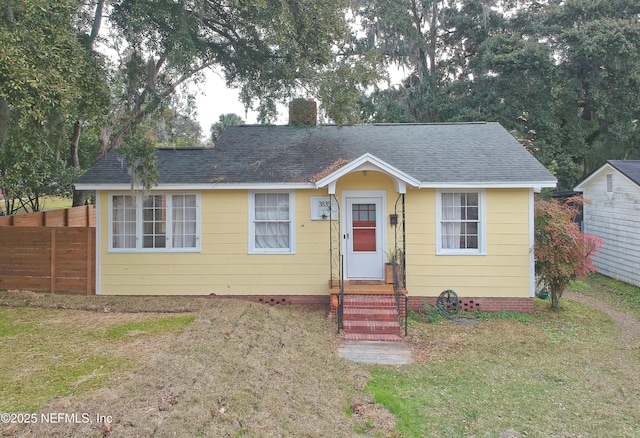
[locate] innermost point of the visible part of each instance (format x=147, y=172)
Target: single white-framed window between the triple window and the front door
x=271, y=222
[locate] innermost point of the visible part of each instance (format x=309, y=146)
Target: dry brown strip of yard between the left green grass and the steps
x=239, y=369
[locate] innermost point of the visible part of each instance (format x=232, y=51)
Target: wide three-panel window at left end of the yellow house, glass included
x=158, y=222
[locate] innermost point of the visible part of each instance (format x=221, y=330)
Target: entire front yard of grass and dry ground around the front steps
x=201, y=367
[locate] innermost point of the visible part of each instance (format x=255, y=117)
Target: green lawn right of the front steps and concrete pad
x=560, y=374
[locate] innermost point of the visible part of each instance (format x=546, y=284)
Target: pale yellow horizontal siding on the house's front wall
x=224, y=266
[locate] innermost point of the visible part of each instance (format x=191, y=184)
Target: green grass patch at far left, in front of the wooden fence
x=47, y=353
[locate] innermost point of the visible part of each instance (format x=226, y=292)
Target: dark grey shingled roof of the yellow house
x=430, y=153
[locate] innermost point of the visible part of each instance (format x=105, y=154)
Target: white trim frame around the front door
x=381, y=241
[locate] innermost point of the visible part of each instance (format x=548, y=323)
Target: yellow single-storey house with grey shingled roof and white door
x=293, y=215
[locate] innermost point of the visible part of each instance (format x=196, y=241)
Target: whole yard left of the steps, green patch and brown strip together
x=239, y=369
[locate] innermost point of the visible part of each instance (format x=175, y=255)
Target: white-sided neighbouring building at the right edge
x=614, y=216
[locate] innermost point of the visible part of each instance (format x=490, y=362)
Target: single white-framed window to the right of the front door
x=460, y=222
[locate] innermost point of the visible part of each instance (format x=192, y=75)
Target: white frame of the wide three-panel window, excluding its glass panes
x=139, y=198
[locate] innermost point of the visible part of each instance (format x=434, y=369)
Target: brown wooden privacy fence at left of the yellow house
x=54, y=258
